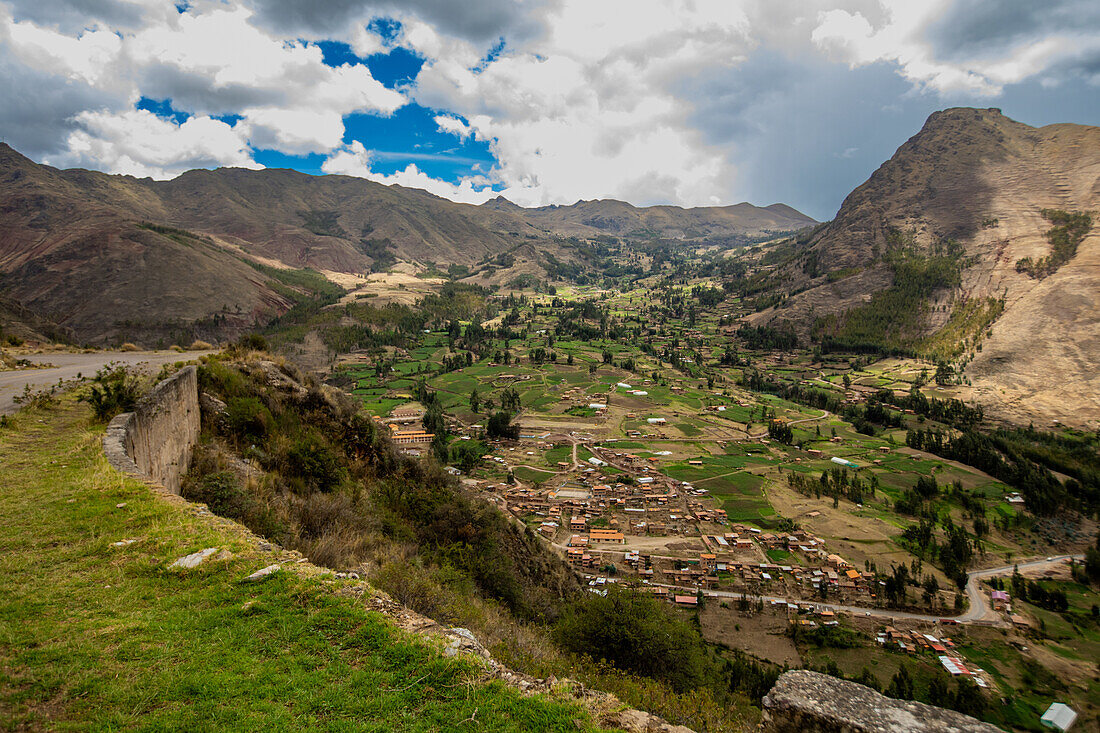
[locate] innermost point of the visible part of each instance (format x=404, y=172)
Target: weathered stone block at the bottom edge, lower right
x=810, y=703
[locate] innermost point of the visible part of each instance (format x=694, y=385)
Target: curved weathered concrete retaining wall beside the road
x=156, y=442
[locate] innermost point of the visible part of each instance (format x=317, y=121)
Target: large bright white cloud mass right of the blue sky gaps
x=590, y=108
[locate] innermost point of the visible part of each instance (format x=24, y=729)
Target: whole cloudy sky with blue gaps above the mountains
x=691, y=103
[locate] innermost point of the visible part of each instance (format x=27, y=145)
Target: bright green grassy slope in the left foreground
x=95, y=637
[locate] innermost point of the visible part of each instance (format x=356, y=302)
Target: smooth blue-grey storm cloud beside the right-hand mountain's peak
x=804, y=132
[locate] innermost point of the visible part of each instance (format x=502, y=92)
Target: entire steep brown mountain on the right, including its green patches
x=962, y=247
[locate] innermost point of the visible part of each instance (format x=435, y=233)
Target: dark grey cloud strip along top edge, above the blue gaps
x=481, y=23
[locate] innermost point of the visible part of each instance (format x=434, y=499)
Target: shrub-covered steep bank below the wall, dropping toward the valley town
x=325, y=479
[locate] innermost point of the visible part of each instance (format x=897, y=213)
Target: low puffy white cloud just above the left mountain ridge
x=140, y=144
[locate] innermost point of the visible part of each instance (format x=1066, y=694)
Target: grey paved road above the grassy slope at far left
x=73, y=366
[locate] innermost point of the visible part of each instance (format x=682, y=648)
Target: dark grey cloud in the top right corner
x=976, y=28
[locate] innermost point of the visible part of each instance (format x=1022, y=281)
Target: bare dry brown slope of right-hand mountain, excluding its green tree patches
x=981, y=179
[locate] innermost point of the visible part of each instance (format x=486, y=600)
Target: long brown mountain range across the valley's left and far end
x=116, y=258
